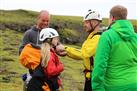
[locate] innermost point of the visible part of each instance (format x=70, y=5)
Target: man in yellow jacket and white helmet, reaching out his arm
x=92, y=22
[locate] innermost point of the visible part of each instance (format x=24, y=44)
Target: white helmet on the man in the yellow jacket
x=92, y=15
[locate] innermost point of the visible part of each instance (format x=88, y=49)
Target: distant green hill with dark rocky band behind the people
x=71, y=26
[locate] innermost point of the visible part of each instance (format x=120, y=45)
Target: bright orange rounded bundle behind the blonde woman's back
x=30, y=57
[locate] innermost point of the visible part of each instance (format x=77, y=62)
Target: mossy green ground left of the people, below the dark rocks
x=10, y=67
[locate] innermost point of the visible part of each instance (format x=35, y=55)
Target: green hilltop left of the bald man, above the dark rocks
x=18, y=16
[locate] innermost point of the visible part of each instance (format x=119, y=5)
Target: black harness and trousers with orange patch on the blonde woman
x=40, y=81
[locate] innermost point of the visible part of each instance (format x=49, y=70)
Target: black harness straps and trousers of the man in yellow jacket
x=88, y=80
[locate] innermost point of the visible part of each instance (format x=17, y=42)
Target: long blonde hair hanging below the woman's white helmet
x=45, y=53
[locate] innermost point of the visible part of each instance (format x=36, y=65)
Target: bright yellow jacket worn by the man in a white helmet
x=86, y=52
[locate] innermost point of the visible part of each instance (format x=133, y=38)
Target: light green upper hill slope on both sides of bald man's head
x=27, y=18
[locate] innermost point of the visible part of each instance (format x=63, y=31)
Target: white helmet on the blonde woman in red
x=48, y=33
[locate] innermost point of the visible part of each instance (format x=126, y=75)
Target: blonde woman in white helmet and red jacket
x=46, y=75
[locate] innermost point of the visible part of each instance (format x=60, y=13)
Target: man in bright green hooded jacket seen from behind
x=115, y=64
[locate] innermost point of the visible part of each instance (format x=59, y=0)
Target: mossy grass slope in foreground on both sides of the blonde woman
x=11, y=69
